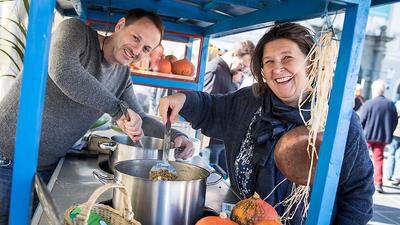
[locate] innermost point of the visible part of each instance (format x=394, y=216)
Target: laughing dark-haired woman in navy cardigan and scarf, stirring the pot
x=251, y=121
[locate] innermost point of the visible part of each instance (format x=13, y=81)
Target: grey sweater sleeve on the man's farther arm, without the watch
x=151, y=126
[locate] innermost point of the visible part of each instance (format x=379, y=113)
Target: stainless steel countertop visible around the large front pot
x=75, y=183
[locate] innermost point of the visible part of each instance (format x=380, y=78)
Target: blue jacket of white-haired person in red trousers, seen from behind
x=379, y=119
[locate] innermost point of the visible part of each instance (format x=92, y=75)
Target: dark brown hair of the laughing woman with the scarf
x=292, y=31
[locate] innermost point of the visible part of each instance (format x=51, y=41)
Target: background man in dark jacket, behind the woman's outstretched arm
x=224, y=74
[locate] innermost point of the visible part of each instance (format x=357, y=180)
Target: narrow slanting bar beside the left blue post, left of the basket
x=46, y=201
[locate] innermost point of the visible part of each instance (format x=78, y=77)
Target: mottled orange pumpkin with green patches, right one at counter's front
x=254, y=211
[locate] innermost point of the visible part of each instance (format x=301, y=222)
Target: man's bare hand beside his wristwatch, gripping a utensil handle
x=132, y=127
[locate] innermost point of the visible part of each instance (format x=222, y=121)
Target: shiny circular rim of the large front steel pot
x=207, y=173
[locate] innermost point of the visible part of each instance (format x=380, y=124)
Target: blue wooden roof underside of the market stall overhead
x=205, y=17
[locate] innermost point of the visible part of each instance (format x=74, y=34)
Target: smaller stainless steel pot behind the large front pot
x=121, y=148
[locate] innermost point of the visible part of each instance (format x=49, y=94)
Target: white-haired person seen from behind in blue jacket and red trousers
x=379, y=120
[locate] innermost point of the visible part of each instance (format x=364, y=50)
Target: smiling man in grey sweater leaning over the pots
x=88, y=76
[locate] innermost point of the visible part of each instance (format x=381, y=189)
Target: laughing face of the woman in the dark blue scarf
x=284, y=70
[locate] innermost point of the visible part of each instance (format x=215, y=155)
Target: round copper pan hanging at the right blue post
x=292, y=158
